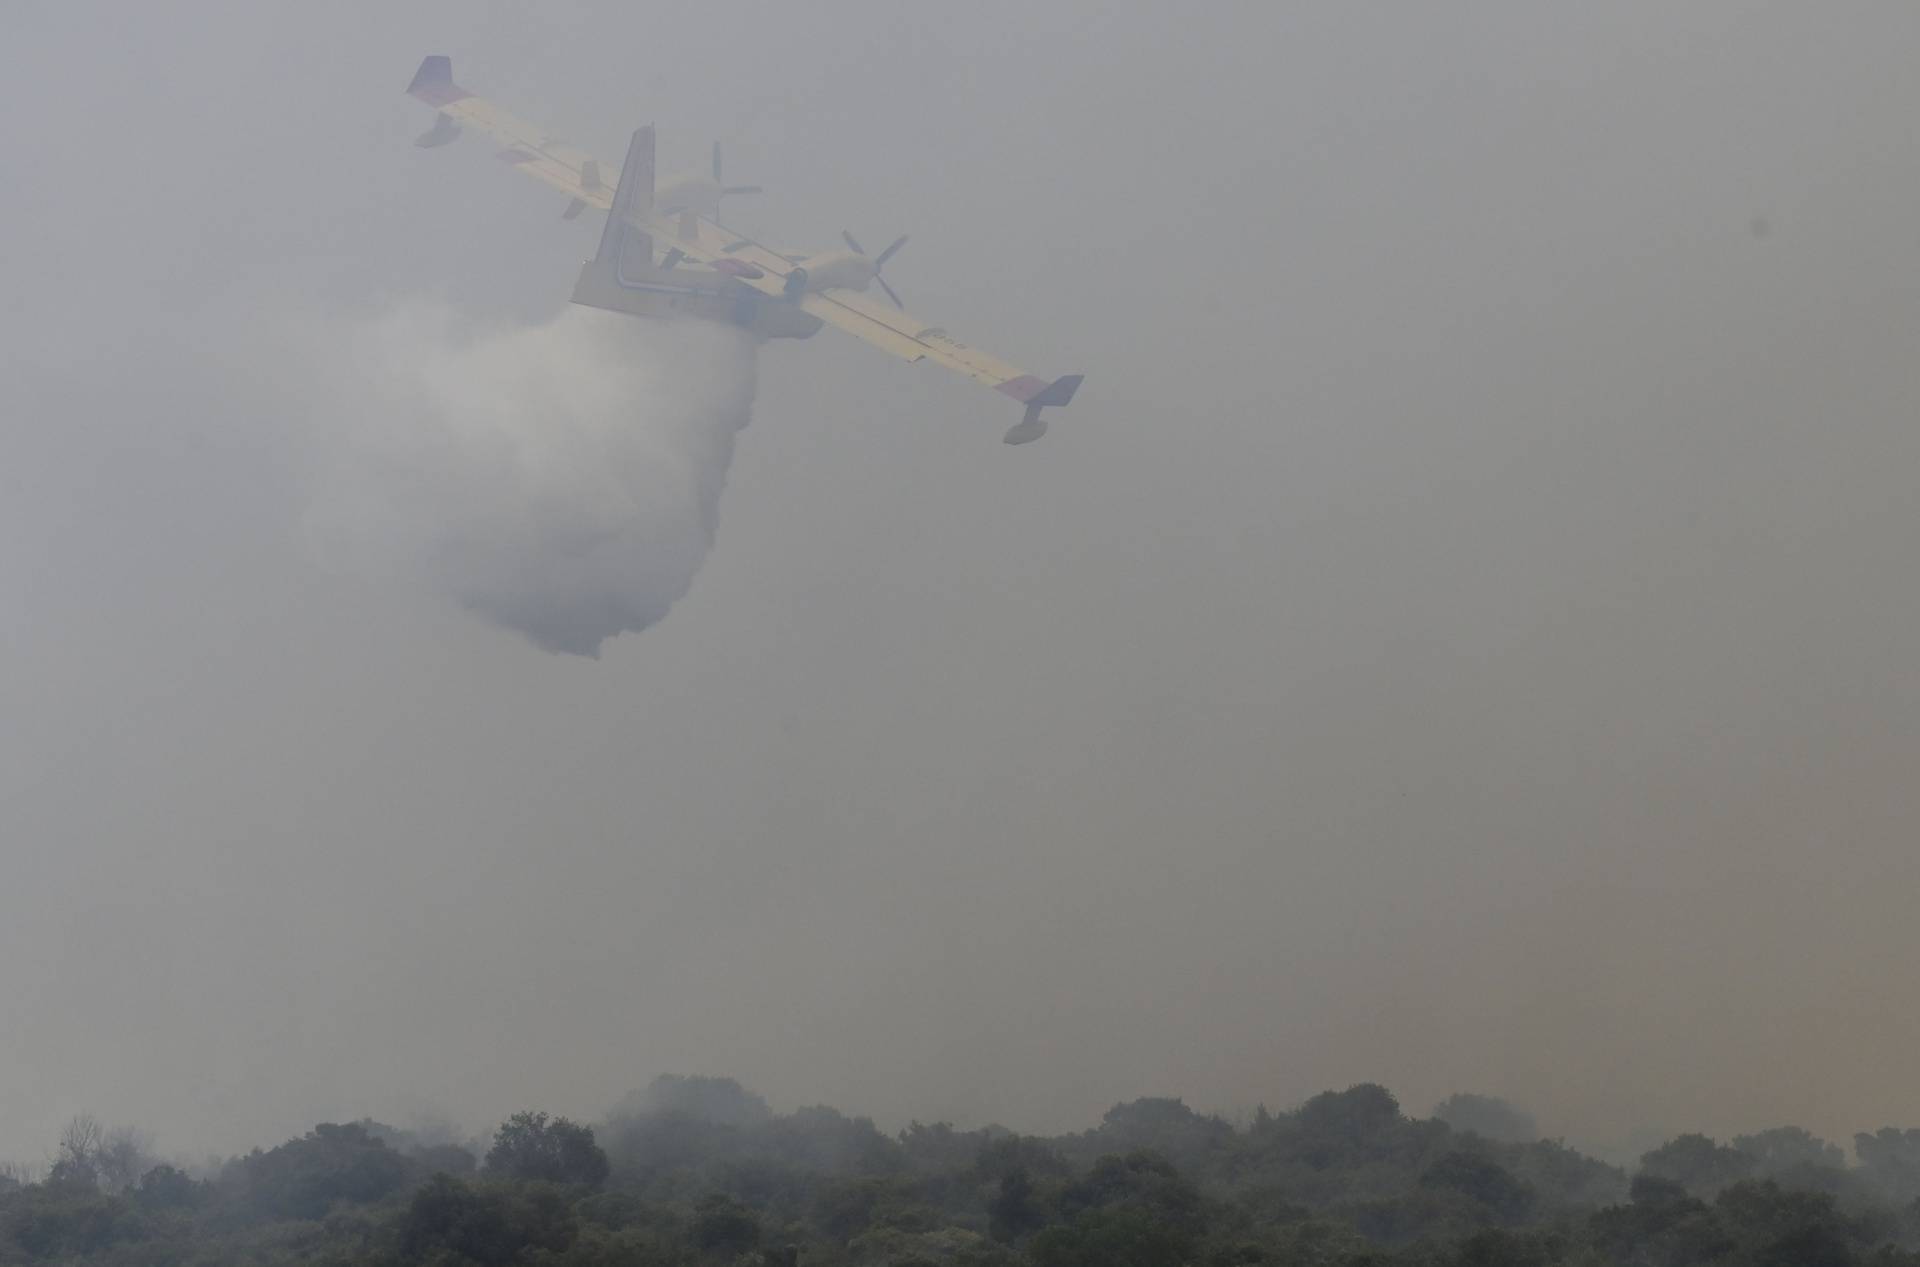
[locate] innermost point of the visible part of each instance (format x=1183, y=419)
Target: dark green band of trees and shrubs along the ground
x=700, y=1172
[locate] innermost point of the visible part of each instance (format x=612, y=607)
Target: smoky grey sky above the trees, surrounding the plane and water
x=1462, y=636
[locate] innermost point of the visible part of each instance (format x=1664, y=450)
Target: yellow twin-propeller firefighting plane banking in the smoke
x=711, y=272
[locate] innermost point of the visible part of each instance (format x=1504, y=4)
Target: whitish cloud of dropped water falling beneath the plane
x=560, y=481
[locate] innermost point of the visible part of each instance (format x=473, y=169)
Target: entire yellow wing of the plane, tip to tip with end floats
x=585, y=181
